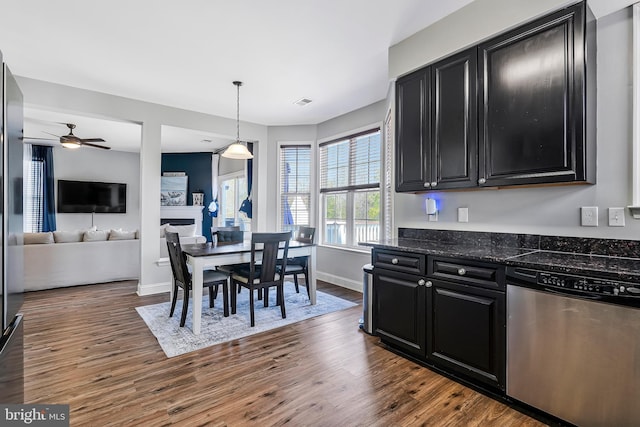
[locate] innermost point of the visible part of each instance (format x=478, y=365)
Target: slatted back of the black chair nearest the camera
x=270, y=244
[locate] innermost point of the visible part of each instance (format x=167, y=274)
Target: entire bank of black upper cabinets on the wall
x=517, y=109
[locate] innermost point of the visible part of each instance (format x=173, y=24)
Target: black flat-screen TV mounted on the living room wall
x=91, y=197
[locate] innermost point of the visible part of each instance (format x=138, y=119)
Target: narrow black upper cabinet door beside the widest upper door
x=454, y=121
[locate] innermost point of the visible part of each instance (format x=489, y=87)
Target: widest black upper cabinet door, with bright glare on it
x=533, y=91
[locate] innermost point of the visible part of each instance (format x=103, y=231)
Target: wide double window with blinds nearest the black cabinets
x=350, y=189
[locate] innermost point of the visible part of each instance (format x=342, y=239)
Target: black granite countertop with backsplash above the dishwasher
x=606, y=258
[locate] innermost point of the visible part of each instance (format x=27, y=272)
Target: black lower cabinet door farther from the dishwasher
x=399, y=310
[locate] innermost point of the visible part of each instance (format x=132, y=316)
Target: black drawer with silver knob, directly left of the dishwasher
x=484, y=275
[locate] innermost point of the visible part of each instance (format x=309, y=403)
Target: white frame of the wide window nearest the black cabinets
x=350, y=190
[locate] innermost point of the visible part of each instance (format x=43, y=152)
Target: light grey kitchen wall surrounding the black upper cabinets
x=544, y=210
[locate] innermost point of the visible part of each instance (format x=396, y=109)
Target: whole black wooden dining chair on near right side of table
x=263, y=275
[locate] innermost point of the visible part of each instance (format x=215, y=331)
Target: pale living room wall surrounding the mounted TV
x=104, y=166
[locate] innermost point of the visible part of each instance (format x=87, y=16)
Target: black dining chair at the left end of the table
x=182, y=279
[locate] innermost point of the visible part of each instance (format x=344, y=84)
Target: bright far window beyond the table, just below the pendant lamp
x=233, y=190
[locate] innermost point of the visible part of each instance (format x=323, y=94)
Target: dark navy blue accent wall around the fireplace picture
x=197, y=166
